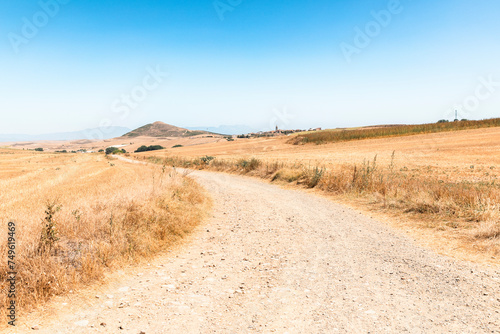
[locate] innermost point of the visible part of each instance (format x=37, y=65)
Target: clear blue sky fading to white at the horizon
x=67, y=65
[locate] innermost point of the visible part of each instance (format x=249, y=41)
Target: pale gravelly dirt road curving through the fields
x=272, y=260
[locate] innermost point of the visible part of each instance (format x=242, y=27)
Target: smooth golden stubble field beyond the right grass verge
x=449, y=154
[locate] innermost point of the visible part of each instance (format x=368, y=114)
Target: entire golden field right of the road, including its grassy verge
x=443, y=185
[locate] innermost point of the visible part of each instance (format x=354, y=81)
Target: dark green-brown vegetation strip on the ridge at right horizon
x=332, y=136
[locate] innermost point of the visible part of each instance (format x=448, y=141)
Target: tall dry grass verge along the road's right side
x=469, y=208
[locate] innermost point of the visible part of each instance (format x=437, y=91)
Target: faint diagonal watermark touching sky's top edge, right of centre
x=365, y=35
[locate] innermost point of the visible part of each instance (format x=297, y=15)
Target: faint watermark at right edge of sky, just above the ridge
x=485, y=89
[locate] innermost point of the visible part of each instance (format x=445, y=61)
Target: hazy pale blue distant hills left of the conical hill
x=97, y=133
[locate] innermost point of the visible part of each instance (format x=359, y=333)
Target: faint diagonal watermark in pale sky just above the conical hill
x=127, y=102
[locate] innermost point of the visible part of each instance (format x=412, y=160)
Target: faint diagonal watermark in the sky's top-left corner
x=32, y=26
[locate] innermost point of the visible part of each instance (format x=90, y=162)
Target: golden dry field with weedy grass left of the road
x=80, y=215
